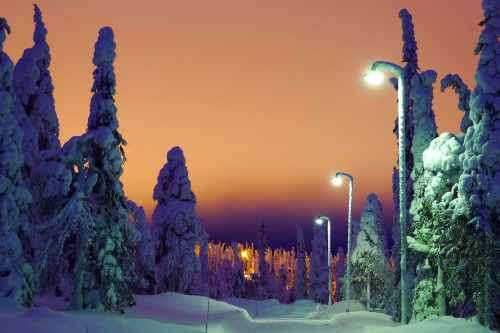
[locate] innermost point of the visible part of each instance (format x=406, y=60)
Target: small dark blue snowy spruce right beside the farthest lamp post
x=318, y=273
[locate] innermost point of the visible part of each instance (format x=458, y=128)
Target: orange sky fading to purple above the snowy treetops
x=265, y=97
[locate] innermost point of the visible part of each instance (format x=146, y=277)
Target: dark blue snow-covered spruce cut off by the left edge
x=16, y=275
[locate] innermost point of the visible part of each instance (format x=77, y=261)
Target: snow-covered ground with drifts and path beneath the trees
x=171, y=312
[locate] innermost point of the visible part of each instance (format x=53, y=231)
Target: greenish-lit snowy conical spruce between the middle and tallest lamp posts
x=371, y=270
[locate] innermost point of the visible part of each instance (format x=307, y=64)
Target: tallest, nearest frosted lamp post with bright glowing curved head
x=371, y=77
